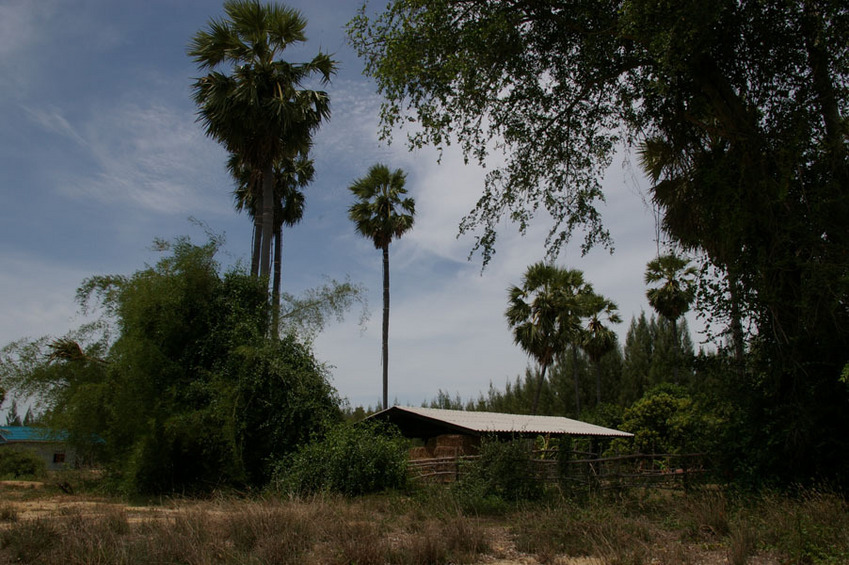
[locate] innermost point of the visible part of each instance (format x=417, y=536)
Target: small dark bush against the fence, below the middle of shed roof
x=503, y=473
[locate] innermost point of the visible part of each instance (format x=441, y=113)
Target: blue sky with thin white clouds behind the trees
x=100, y=153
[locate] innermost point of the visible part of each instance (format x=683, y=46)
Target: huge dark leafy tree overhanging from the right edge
x=738, y=109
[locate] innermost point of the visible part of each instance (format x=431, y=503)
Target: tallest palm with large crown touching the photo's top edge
x=258, y=111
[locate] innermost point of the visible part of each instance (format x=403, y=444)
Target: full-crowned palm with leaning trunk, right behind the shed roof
x=545, y=314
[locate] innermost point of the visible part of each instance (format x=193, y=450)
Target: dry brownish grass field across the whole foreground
x=41, y=524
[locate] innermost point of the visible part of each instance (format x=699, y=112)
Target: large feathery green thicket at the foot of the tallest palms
x=192, y=394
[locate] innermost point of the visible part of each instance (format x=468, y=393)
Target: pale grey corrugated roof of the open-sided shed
x=493, y=422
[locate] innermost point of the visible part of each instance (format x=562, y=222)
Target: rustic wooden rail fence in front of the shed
x=583, y=470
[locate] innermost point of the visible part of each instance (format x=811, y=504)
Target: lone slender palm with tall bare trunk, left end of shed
x=381, y=214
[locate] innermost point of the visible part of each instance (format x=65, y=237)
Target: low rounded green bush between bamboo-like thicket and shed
x=351, y=459
